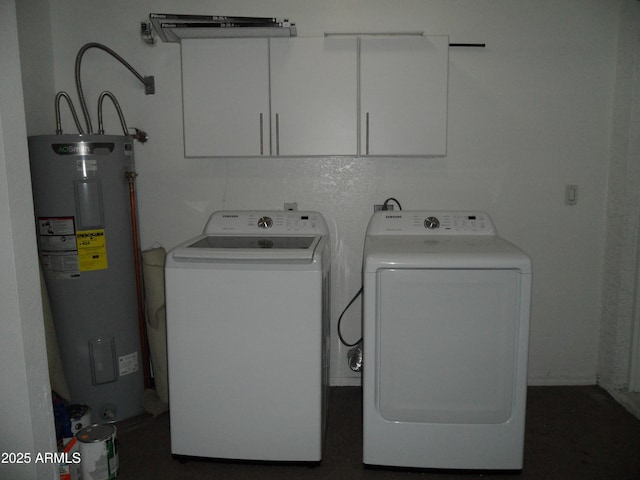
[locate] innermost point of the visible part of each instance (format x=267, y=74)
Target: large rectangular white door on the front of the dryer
x=446, y=347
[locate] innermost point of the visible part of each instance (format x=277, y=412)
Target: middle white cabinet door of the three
x=314, y=96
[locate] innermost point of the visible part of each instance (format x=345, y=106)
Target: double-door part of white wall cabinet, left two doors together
x=283, y=96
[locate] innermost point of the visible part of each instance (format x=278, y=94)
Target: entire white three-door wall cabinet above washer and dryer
x=315, y=96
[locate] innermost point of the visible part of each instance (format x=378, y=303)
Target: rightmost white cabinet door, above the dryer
x=403, y=95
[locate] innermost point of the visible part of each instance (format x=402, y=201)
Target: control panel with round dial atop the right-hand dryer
x=419, y=222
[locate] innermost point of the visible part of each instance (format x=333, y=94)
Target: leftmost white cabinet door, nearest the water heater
x=225, y=85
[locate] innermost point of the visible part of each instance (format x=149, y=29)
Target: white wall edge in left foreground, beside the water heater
x=26, y=421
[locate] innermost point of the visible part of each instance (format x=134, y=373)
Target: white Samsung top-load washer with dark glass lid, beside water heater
x=247, y=335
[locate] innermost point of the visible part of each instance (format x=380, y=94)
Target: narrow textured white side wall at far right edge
x=622, y=257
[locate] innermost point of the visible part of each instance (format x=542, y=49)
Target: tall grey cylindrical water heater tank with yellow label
x=85, y=241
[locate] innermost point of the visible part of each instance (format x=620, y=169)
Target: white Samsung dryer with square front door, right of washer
x=446, y=326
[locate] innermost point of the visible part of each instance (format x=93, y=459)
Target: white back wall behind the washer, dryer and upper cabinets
x=527, y=115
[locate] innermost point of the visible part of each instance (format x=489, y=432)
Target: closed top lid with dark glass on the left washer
x=249, y=248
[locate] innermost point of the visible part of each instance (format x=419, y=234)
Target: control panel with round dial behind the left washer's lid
x=259, y=222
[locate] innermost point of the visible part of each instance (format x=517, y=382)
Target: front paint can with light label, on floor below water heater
x=98, y=452
